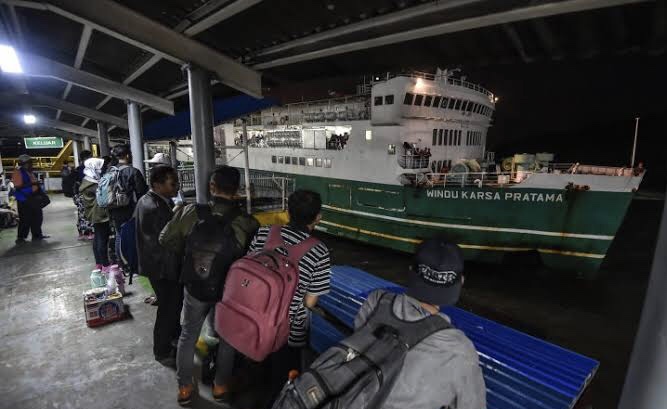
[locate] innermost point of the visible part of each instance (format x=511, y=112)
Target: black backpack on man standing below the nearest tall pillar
x=211, y=247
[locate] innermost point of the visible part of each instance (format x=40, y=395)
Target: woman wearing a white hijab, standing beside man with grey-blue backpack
x=98, y=216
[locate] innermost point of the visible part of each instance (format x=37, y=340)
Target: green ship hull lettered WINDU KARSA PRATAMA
x=570, y=230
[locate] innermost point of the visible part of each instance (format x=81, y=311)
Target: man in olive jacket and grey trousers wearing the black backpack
x=223, y=187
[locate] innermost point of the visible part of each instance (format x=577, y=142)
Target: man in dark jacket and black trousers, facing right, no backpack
x=152, y=213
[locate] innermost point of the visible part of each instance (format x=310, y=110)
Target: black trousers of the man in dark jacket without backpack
x=168, y=318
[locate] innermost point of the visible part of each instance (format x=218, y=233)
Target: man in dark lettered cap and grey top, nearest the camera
x=443, y=370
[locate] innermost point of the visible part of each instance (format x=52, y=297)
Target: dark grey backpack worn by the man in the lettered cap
x=361, y=371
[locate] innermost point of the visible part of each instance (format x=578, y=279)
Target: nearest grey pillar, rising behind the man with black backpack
x=201, y=124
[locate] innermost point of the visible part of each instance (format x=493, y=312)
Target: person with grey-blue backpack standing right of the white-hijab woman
x=132, y=183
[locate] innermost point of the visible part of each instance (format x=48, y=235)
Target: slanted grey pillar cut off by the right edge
x=646, y=381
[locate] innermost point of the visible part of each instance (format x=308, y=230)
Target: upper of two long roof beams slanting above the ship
x=371, y=23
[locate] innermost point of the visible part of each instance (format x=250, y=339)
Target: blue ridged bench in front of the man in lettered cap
x=520, y=371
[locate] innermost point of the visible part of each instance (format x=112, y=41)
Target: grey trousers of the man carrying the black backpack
x=193, y=317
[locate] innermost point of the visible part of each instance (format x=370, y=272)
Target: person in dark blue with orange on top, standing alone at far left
x=30, y=213
